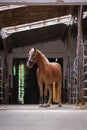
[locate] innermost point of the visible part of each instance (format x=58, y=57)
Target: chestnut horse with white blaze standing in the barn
x=47, y=74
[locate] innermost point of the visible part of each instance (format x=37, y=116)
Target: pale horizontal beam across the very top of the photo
x=43, y=2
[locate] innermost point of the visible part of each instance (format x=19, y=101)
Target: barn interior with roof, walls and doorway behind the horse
x=59, y=31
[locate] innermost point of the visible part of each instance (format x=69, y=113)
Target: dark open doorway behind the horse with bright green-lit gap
x=25, y=86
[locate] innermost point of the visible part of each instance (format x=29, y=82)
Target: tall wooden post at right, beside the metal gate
x=78, y=51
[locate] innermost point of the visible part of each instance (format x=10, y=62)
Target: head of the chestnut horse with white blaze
x=32, y=55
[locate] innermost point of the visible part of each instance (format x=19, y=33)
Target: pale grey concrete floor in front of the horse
x=31, y=117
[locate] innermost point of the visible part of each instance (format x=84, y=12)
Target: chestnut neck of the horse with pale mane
x=42, y=62
